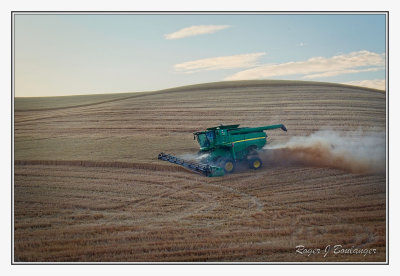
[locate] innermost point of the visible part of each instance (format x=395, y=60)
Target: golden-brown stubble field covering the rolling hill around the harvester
x=88, y=185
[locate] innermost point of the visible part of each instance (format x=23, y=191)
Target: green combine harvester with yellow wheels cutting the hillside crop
x=224, y=147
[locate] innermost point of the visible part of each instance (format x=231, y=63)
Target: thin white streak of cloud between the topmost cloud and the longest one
x=217, y=63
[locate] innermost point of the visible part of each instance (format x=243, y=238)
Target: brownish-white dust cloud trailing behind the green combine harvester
x=352, y=151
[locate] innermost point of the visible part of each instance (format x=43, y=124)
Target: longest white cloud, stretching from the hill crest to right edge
x=317, y=67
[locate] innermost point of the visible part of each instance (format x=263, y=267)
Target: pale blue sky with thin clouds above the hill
x=90, y=54
